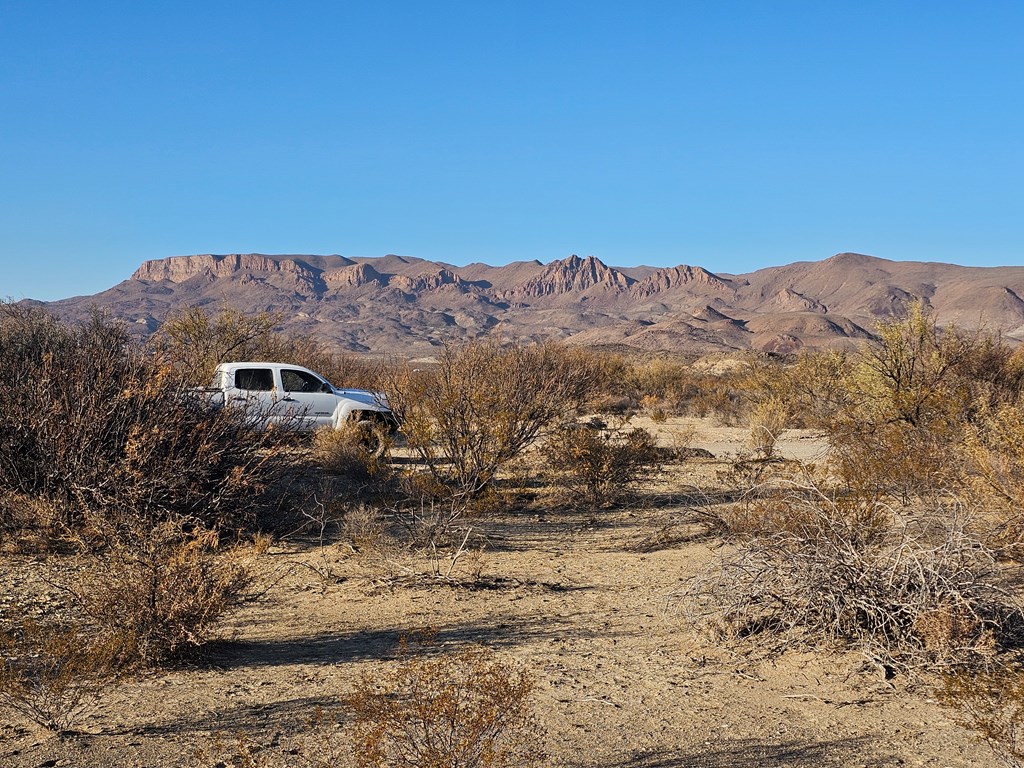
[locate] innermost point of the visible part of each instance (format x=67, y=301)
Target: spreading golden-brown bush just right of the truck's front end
x=483, y=405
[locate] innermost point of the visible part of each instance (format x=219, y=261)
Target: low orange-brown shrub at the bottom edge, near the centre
x=465, y=710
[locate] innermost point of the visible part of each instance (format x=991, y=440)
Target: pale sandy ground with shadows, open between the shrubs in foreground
x=576, y=598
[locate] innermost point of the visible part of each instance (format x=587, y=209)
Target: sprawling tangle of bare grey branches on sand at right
x=906, y=585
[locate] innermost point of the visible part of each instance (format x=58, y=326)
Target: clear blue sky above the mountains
x=730, y=135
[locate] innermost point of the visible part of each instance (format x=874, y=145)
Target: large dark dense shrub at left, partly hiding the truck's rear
x=91, y=423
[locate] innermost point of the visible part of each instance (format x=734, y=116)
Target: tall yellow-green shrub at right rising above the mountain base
x=910, y=401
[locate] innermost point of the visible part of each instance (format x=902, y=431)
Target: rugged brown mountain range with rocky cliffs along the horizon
x=409, y=307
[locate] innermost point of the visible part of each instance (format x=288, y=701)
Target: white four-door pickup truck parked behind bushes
x=295, y=398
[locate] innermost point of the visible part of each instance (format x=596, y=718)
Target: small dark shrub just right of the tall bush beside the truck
x=599, y=467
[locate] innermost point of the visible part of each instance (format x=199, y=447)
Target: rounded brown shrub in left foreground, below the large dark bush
x=153, y=593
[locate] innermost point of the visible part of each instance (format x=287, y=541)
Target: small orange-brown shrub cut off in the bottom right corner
x=992, y=703
